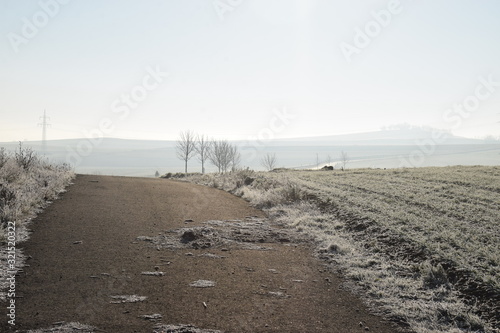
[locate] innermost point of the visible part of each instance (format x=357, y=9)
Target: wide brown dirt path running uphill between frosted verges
x=85, y=248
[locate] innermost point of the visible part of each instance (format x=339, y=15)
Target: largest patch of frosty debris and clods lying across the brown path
x=243, y=234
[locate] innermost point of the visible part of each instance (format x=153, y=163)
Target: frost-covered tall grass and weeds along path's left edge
x=27, y=184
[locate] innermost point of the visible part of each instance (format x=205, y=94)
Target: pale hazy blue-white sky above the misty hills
x=244, y=68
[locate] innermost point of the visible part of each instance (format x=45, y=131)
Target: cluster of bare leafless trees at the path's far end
x=220, y=153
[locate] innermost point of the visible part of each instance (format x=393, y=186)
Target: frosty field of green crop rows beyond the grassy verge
x=453, y=212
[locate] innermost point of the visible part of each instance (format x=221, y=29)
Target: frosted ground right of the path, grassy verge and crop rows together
x=421, y=246
